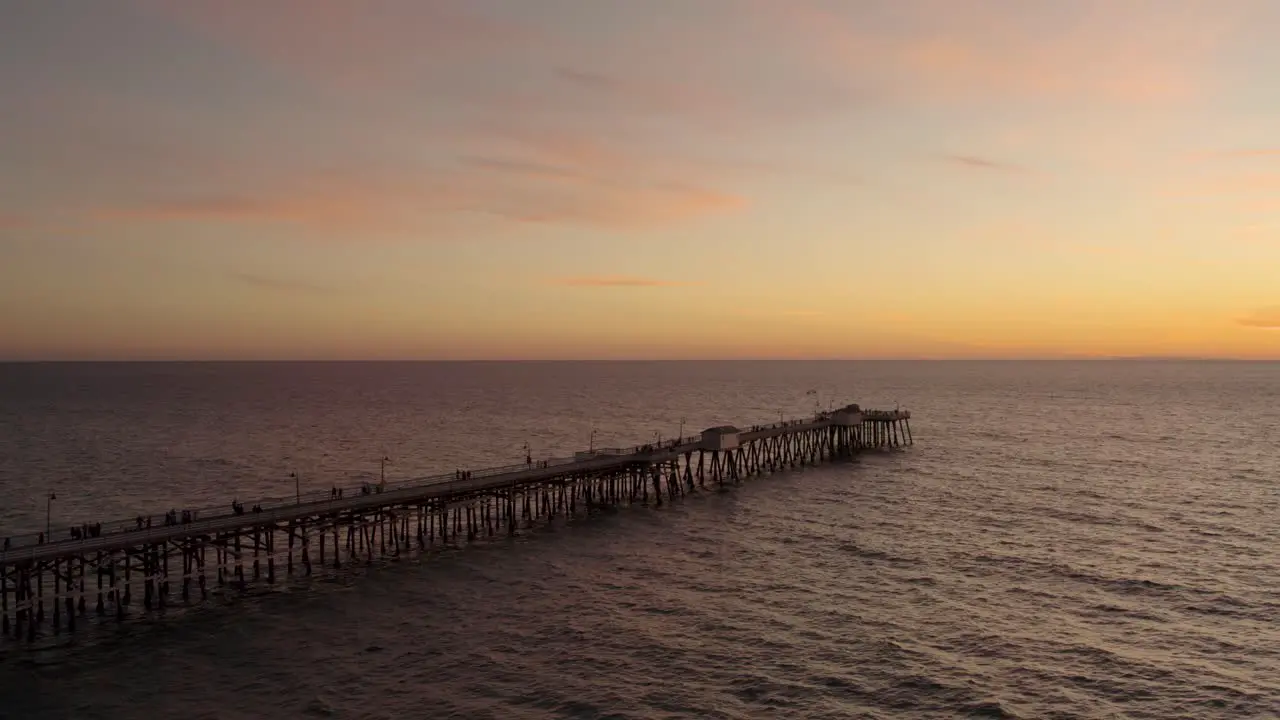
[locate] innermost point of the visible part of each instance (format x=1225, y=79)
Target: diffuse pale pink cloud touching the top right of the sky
x=976, y=51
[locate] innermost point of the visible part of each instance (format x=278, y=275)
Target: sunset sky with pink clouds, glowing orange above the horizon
x=639, y=179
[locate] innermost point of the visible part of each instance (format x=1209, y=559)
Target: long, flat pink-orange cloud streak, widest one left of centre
x=362, y=204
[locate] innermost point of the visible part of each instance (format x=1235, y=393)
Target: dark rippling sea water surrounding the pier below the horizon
x=1067, y=540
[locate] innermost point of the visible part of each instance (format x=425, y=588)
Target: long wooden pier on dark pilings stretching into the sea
x=48, y=585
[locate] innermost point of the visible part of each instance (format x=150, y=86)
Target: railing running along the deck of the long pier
x=319, y=499
